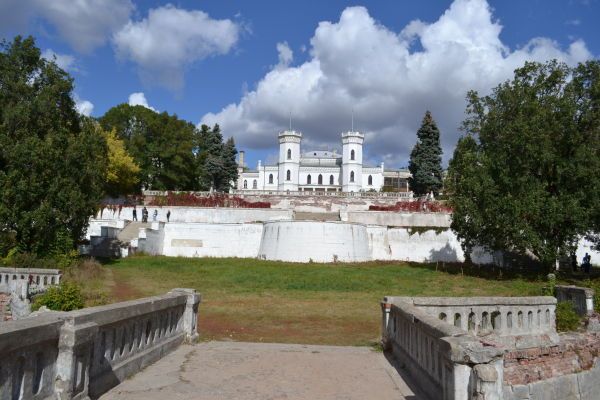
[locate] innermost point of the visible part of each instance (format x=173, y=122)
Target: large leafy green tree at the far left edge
x=52, y=161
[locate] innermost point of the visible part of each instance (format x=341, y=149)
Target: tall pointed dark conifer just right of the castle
x=426, y=159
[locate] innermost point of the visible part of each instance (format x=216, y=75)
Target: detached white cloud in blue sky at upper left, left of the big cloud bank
x=170, y=39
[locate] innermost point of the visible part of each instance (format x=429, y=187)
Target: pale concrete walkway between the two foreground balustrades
x=253, y=371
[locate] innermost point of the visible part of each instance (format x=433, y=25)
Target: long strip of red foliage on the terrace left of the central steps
x=214, y=200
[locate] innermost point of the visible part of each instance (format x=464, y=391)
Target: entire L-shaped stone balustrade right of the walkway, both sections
x=453, y=347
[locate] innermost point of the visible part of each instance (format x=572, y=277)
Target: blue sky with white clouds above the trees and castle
x=248, y=65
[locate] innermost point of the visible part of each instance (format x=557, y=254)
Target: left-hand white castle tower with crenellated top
x=289, y=160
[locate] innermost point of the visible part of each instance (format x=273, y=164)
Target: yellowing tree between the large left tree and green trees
x=122, y=175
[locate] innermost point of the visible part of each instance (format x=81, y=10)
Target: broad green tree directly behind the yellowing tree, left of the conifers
x=161, y=144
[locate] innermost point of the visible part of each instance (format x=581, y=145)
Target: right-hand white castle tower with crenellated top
x=352, y=161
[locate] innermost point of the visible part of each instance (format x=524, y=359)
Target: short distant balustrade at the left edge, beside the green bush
x=13, y=278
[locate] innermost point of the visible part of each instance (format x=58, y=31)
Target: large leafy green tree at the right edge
x=526, y=177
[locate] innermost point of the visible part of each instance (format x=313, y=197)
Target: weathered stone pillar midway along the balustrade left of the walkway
x=75, y=347
